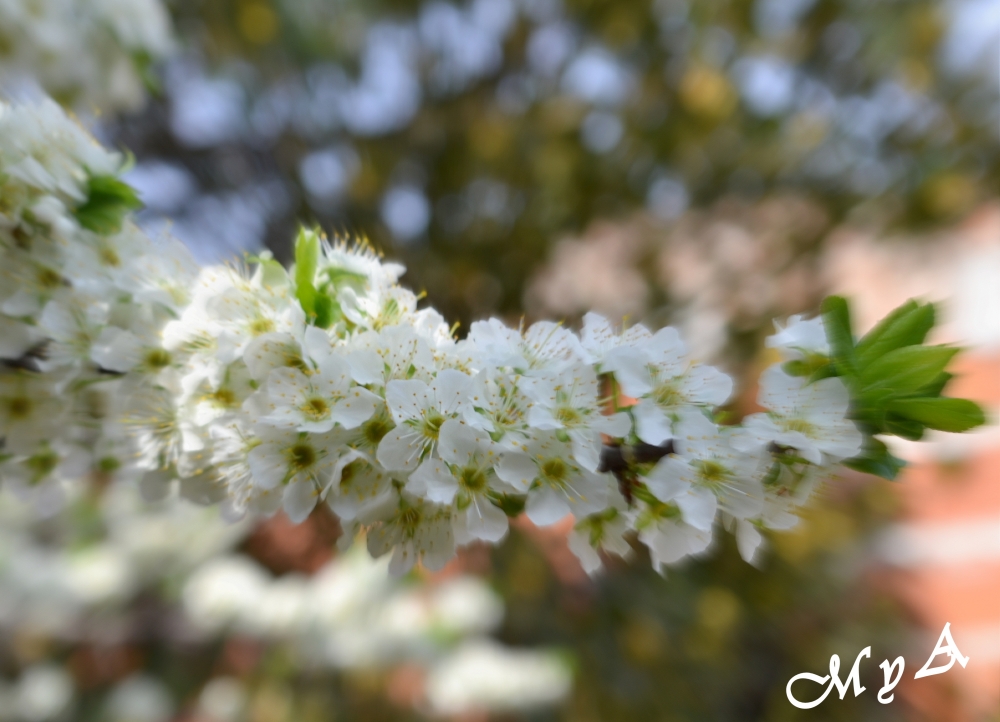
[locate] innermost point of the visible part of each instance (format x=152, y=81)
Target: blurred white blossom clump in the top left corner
x=92, y=54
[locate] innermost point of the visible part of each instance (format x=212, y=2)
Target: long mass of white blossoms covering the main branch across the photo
x=262, y=388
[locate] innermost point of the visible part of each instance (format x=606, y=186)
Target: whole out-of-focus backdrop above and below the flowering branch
x=711, y=165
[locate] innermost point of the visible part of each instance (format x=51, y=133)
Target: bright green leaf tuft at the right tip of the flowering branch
x=895, y=380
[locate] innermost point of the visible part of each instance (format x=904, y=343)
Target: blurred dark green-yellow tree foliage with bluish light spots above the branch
x=507, y=125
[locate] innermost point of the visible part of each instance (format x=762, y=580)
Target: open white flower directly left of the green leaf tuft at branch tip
x=811, y=418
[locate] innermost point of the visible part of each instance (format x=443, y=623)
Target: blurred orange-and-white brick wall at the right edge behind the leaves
x=943, y=557
